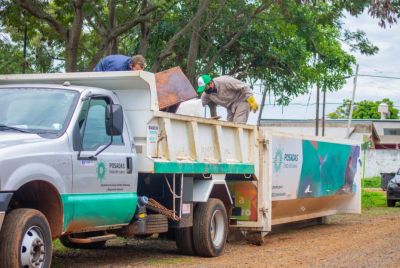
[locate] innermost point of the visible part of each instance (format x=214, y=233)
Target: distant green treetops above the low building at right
x=363, y=110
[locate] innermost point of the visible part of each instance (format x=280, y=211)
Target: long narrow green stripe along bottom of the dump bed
x=203, y=168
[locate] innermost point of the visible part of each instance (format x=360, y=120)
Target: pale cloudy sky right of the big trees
x=385, y=63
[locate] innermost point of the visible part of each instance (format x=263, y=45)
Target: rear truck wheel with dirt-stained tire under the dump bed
x=210, y=228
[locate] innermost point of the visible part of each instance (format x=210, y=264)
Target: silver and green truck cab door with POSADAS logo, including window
x=104, y=186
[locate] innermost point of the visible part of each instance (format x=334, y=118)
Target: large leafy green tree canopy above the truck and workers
x=287, y=45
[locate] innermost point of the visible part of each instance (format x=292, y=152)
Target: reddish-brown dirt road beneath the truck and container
x=368, y=240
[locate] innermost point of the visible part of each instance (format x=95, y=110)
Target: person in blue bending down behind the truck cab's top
x=121, y=63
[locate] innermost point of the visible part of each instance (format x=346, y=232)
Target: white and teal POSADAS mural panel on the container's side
x=306, y=168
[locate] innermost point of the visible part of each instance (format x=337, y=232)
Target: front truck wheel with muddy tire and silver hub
x=25, y=239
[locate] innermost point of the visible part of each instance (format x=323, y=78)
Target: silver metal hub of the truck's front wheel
x=32, y=248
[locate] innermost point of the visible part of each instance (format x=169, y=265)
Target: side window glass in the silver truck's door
x=95, y=134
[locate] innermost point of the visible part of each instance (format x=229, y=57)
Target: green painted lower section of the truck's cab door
x=98, y=209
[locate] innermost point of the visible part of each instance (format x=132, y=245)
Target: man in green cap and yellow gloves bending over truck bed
x=235, y=95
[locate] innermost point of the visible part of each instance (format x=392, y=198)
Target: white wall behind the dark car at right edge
x=381, y=161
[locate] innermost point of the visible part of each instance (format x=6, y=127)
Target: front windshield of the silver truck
x=35, y=110
